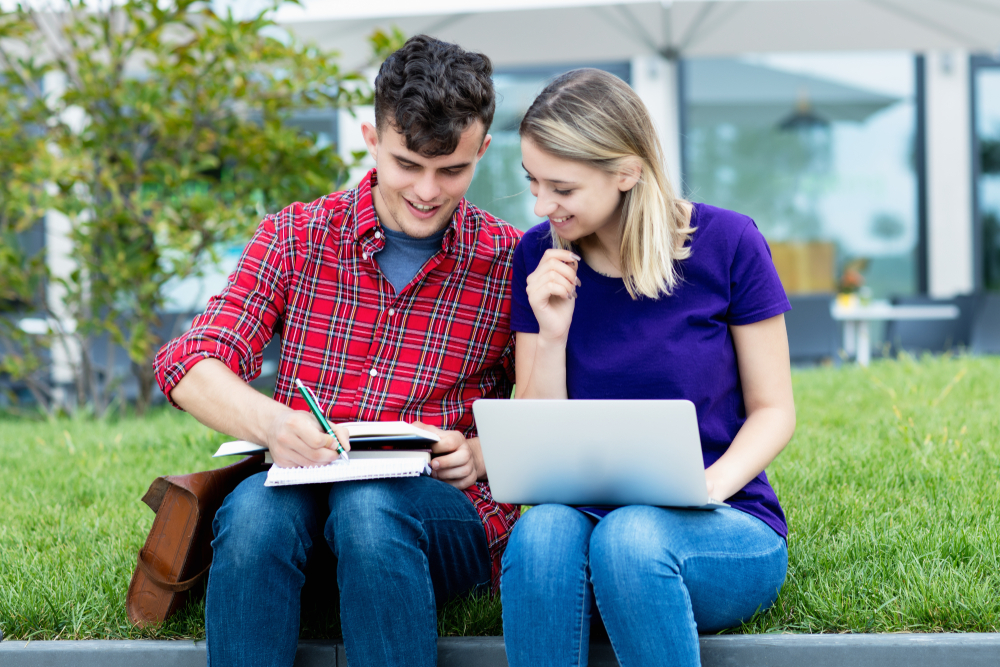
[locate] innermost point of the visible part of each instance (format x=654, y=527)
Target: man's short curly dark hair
x=431, y=91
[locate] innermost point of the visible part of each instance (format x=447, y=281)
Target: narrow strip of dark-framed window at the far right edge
x=986, y=167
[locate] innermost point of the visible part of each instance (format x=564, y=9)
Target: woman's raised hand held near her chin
x=552, y=293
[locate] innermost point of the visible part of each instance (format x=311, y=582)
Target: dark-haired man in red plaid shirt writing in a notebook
x=391, y=301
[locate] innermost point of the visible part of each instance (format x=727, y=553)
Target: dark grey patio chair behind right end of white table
x=917, y=336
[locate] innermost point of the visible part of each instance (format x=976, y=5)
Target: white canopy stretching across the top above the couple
x=515, y=32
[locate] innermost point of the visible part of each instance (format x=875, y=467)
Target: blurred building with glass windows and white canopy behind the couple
x=851, y=131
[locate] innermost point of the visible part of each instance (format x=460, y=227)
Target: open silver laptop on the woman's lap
x=583, y=452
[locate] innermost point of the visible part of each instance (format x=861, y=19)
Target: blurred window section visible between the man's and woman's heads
x=499, y=185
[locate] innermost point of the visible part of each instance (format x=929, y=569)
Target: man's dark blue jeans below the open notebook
x=403, y=546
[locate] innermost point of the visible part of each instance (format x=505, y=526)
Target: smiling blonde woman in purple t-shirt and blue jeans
x=628, y=292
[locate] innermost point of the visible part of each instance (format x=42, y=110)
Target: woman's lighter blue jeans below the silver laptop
x=658, y=577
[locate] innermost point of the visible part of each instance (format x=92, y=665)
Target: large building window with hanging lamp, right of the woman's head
x=819, y=149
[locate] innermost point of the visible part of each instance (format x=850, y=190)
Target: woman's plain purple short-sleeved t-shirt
x=677, y=346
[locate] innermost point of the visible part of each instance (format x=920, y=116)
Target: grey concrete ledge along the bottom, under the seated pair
x=895, y=650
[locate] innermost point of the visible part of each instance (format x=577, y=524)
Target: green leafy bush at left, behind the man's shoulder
x=161, y=129
